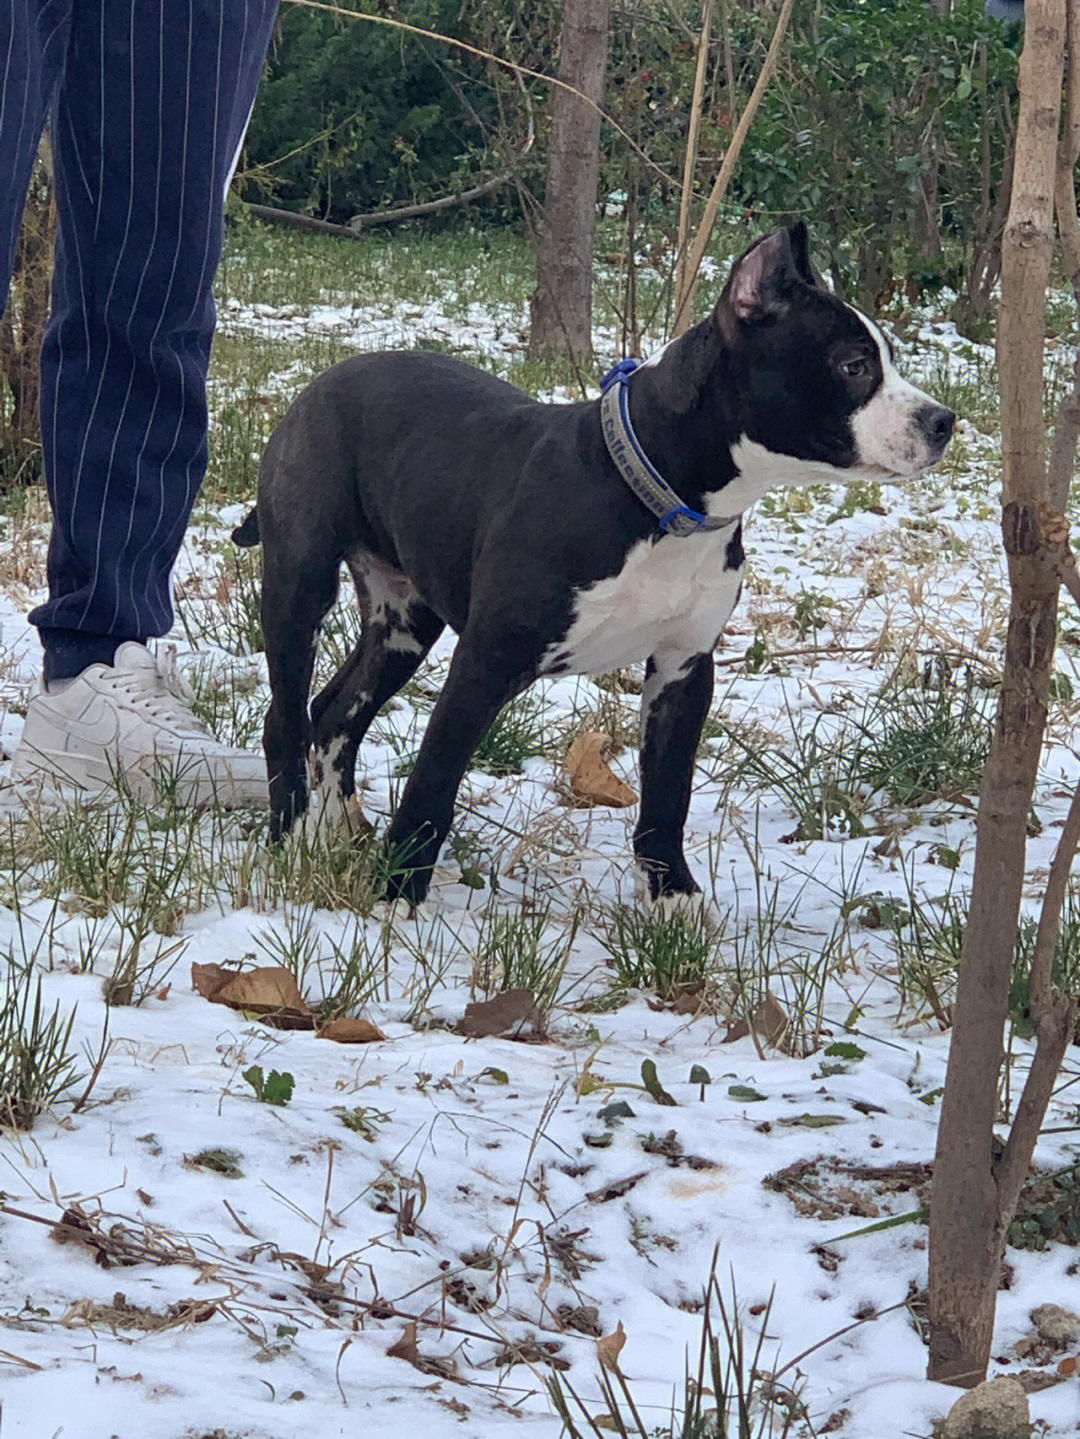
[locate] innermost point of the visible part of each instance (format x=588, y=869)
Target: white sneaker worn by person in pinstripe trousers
x=134, y=720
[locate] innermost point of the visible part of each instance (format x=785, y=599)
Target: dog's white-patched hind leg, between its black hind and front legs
x=398, y=632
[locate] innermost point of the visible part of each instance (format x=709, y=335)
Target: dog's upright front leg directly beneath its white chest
x=675, y=702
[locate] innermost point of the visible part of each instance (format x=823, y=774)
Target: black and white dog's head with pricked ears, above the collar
x=813, y=379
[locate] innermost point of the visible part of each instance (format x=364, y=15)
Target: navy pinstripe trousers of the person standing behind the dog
x=149, y=103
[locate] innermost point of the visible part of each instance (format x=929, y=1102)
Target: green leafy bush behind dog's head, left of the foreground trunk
x=889, y=126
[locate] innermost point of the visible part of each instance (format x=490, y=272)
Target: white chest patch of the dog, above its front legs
x=671, y=598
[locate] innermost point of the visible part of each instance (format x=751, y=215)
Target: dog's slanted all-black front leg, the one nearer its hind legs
x=472, y=697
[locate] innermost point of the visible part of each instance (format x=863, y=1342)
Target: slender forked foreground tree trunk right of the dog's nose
x=973, y=1201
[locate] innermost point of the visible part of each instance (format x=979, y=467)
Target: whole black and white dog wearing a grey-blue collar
x=554, y=539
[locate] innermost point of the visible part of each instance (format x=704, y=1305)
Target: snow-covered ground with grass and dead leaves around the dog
x=434, y=1220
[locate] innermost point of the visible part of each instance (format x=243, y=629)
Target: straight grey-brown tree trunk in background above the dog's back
x=562, y=307
